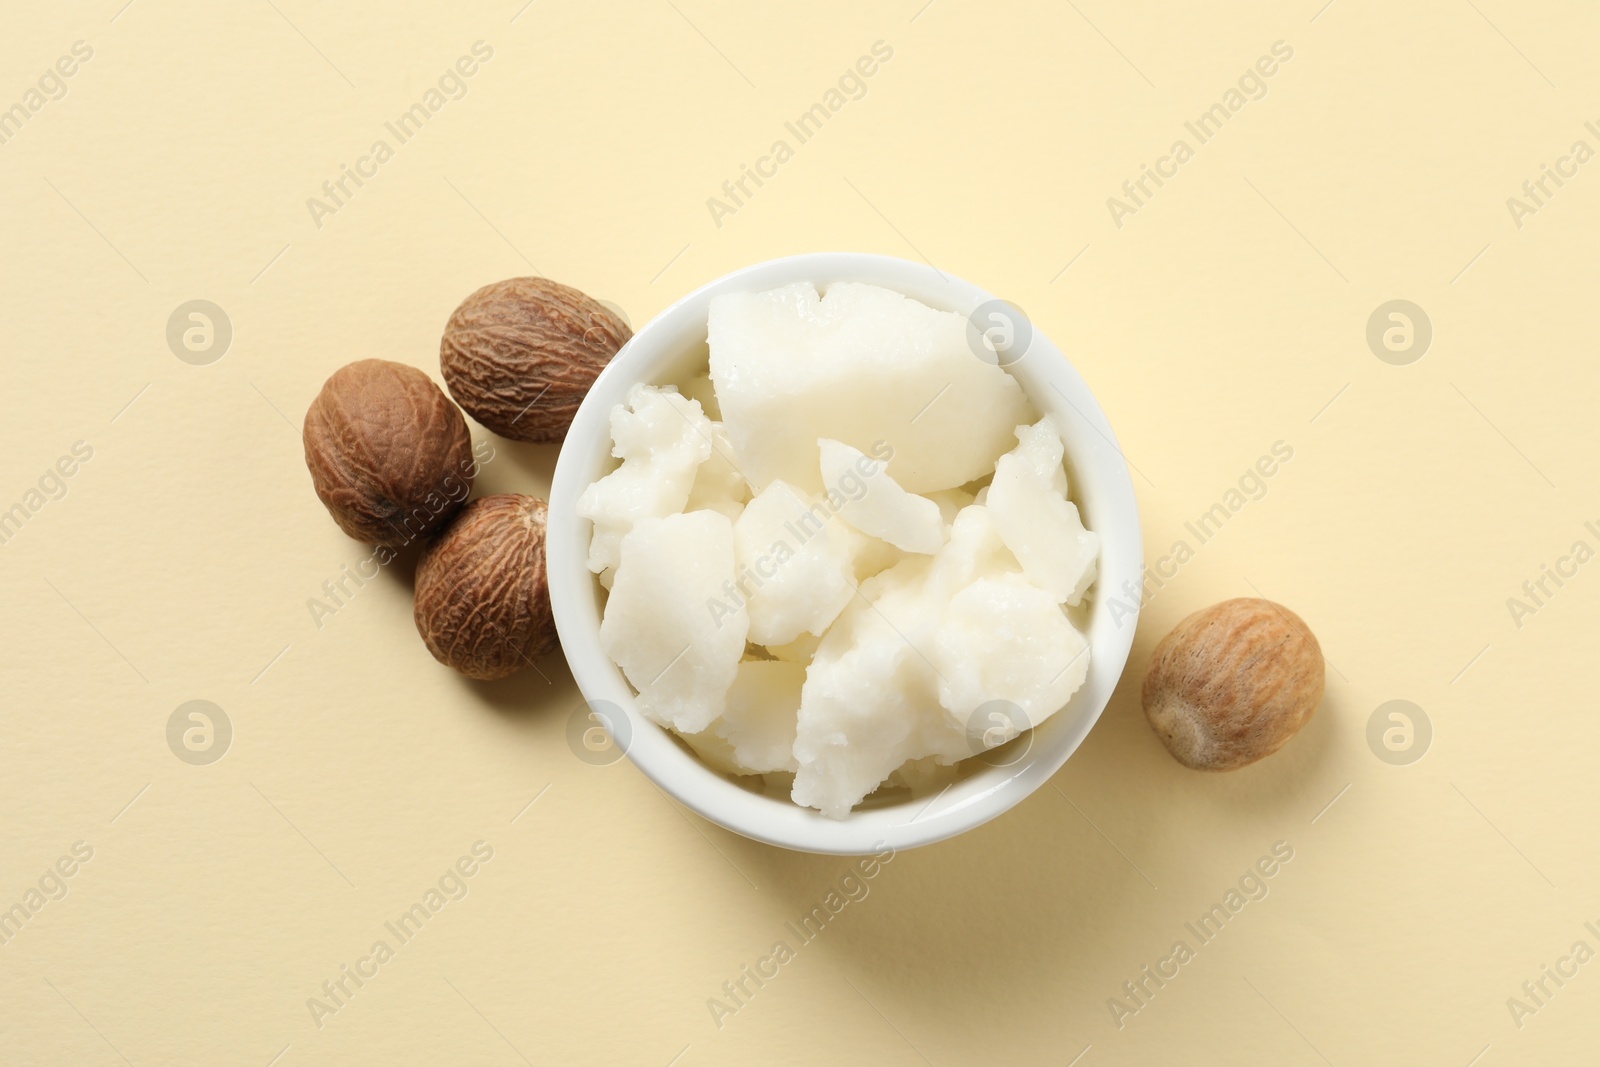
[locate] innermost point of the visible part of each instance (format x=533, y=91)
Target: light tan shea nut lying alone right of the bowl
x=1233, y=684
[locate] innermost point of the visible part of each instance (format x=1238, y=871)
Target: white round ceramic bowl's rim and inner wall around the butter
x=671, y=348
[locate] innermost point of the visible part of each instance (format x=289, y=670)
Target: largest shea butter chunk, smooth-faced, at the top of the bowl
x=857, y=366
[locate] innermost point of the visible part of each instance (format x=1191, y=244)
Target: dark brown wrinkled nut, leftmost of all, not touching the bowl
x=388, y=452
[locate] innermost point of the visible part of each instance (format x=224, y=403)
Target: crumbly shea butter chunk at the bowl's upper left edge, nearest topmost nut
x=662, y=439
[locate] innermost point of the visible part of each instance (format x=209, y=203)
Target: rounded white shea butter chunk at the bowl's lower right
x=1004, y=639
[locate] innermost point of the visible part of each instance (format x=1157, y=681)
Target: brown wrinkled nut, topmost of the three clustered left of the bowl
x=521, y=354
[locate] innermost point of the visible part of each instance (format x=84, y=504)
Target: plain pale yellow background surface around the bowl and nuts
x=1228, y=314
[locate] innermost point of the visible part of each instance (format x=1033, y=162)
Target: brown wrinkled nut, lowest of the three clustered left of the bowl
x=482, y=599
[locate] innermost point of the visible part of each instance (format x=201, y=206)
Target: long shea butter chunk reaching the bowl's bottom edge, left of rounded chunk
x=871, y=698
